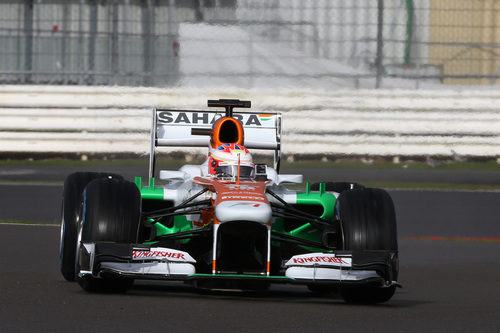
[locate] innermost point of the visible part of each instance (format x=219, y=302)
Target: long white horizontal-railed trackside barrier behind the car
x=390, y=123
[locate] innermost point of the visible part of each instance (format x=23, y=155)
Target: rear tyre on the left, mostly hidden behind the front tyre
x=70, y=214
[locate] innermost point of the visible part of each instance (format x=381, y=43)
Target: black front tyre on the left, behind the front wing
x=112, y=213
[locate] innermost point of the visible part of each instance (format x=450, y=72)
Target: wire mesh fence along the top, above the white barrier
x=250, y=43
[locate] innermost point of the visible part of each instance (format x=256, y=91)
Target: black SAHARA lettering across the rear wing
x=202, y=118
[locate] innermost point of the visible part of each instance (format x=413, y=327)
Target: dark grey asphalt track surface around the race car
x=448, y=284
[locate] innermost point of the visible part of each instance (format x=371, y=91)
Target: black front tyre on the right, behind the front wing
x=368, y=222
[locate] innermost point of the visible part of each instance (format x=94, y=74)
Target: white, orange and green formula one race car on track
x=227, y=223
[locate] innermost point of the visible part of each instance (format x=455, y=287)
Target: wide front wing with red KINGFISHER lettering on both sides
x=138, y=261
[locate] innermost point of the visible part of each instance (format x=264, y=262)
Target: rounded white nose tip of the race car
x=243, y=211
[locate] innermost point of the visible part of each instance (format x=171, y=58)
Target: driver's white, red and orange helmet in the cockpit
x=224, y=161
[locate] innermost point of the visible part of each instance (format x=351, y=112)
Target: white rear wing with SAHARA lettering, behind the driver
x=190, y=128
